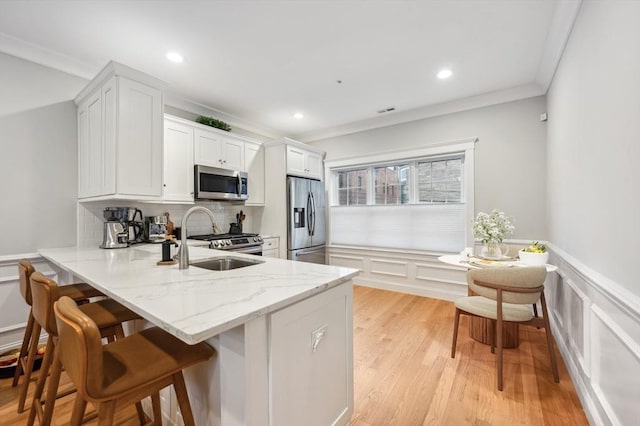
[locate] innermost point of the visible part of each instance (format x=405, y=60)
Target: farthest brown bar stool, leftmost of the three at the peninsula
x=79, y=292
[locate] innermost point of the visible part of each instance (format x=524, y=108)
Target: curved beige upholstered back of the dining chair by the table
x=525, y=278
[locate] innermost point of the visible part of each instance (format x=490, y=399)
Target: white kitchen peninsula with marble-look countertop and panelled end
x=282, y=330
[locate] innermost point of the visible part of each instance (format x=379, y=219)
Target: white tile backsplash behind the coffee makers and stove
x=91, y=219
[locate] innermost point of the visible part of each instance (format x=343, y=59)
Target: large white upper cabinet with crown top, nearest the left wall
x=120, y=135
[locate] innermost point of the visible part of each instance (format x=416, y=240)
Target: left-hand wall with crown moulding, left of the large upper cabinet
x=38, y=144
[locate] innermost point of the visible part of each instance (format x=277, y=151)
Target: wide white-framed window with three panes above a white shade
x=418, y=199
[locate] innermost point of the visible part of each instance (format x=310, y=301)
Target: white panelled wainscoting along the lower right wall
x=596, y=324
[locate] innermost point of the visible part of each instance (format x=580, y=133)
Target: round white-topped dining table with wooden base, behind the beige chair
x=480, y=329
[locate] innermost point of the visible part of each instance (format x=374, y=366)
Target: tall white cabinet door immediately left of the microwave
x=178, y=162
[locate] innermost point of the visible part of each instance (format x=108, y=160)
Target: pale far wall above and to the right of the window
x=510, y=156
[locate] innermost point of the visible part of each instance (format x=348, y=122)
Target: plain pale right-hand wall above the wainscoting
x=593, y=149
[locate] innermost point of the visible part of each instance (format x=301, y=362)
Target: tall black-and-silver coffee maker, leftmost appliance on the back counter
x=123, y=227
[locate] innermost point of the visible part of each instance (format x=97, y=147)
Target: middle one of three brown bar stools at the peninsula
x=108, y=315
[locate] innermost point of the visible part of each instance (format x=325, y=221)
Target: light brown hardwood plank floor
x=404, y=374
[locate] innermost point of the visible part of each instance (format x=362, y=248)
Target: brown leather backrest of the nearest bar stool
x=80, y=348
